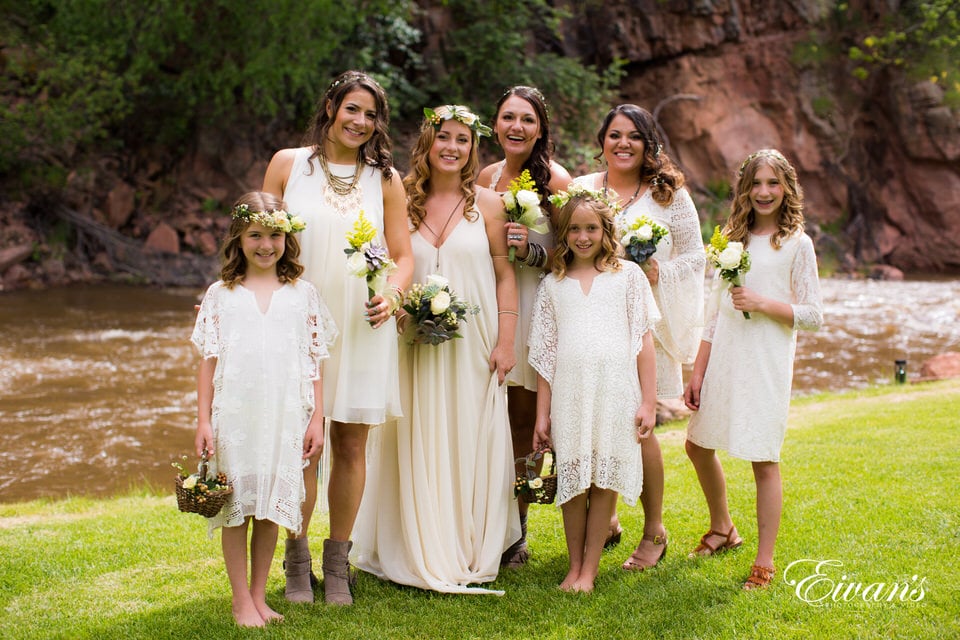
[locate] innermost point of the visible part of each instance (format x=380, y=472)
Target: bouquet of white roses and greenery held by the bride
x=435, y=311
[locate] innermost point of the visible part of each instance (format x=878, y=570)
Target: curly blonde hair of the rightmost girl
x=790, y=215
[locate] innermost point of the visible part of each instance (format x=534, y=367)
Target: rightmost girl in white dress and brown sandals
x=741, y=379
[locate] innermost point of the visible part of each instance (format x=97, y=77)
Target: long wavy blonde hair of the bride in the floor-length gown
x=417, y=182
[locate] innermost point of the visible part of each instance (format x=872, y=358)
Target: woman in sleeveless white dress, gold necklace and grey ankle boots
x=346, y=166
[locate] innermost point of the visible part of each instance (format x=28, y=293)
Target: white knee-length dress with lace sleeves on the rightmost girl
x=745, y=395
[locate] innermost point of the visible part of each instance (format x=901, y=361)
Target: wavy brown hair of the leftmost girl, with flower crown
x=234, y=263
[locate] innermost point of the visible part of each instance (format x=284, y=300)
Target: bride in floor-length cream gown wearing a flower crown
x=438, y=509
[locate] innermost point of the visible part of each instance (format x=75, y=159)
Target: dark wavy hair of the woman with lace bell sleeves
x=657, y=168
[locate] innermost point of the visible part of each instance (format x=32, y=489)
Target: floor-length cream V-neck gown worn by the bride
x=438, y=510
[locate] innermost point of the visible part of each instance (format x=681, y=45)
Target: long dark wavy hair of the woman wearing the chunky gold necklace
x=375, y=151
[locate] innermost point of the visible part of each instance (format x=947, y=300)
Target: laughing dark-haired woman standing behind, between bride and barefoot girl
x=522, y=129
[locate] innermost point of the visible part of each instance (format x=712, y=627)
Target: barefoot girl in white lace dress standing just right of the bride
x=591, y=344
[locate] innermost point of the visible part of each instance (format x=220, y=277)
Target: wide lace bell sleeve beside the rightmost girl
x=680, y=282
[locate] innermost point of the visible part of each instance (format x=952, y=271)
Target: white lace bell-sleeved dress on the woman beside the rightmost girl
x=679, y=288
